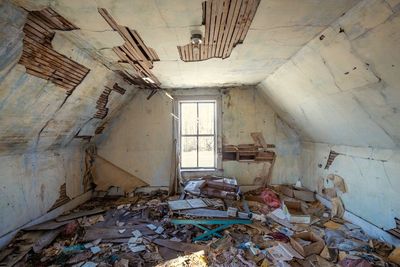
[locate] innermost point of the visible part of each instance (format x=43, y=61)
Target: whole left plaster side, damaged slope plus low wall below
x=39, y=122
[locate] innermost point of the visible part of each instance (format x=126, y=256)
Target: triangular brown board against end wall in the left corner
x=106, y=175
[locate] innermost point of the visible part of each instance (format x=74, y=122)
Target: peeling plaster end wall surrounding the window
x=140, y=140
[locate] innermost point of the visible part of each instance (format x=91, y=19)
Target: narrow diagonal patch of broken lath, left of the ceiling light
x=135, y=52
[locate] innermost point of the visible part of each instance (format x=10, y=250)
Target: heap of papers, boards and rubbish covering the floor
x=210, y=224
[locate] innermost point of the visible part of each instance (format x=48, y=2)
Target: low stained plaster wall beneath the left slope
x=30, y=184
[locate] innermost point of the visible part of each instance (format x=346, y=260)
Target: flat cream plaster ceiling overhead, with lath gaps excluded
x=280, y=28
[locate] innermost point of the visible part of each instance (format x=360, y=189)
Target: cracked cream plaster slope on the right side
x=343, y=87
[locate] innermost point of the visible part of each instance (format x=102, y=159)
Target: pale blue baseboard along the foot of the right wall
x=372, y=230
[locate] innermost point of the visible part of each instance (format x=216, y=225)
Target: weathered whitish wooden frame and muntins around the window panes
x=217, y=130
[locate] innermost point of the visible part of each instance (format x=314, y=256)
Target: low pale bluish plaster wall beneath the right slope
x=371, y=176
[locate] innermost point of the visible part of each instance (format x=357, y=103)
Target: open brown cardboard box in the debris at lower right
x=314, y=247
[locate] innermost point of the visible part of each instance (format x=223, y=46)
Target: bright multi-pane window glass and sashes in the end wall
x=198, y=134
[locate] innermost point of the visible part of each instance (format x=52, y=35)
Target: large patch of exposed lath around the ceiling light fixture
x=226, y=25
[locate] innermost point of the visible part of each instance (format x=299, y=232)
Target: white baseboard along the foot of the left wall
x=5, y=239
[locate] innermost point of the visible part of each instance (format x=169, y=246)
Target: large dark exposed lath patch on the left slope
x=41, y=60
